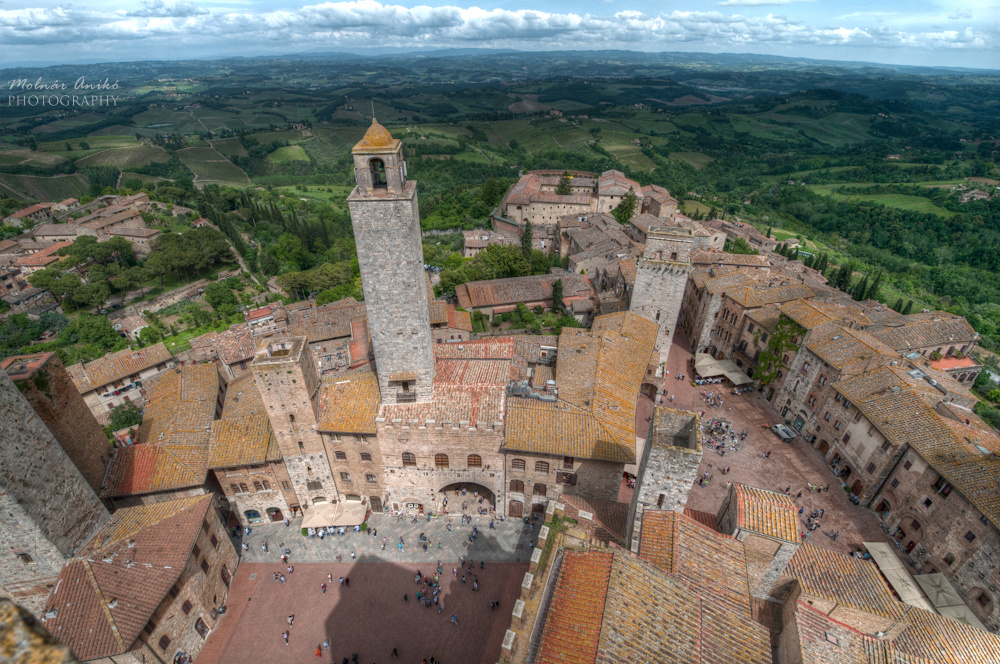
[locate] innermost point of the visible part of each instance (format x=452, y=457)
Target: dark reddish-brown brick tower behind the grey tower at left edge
x=44, y=382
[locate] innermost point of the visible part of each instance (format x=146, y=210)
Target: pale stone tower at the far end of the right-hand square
x=660, y=278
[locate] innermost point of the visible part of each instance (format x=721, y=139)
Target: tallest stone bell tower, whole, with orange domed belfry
x=390, y=254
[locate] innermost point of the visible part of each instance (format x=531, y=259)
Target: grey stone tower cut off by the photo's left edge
x=47, y=508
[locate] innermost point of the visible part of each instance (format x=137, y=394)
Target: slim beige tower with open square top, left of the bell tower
x=289, y=384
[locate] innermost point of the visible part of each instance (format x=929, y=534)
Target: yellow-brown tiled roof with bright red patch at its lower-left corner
x=173, y=448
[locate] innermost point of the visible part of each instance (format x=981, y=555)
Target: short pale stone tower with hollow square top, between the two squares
x=667, y=469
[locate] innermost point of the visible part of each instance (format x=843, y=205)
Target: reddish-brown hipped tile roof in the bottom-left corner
x=108, y=592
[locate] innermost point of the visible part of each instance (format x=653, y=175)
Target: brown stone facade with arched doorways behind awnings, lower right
x=940, y=542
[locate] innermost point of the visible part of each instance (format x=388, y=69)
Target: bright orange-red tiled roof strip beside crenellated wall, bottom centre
x=576, y=614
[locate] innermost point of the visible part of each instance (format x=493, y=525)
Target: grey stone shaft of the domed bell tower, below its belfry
x=390, y=256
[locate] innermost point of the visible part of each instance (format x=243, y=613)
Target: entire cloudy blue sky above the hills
x=921, y=32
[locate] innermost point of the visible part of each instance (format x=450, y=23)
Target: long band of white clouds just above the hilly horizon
x=184, y=26
